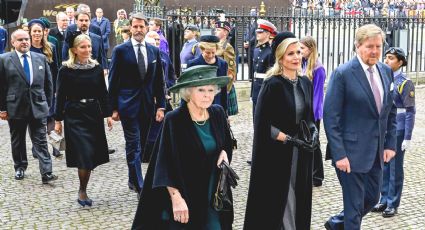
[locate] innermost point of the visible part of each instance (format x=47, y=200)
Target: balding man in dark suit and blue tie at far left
x=26, y=91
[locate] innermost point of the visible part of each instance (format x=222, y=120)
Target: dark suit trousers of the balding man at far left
x=37, y=133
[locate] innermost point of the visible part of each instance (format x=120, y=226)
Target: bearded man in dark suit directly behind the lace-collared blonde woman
x=98, y=53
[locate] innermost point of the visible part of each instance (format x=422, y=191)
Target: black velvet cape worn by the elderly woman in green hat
x=179, y=160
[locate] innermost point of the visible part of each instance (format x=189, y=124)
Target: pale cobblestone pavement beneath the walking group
x=28, y=204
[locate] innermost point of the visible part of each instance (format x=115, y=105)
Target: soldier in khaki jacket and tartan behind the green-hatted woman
x=226, y=51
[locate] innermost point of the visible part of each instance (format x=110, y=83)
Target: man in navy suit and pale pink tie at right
x=359, y=119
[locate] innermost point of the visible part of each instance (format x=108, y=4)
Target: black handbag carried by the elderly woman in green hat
x=222, y=200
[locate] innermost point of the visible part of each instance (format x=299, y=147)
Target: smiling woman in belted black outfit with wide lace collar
x=82, y=104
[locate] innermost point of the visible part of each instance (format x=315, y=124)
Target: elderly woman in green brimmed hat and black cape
x=183, y=171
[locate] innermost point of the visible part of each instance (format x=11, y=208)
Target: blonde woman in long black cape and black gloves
x=280, y=189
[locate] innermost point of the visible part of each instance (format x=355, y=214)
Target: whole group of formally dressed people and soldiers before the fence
x=58, y=80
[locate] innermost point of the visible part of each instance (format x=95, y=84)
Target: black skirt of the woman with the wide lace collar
x=85, y=137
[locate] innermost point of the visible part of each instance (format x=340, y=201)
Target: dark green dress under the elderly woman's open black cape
x=210, y=145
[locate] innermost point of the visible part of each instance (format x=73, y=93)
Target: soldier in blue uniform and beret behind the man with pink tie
x=404, y=100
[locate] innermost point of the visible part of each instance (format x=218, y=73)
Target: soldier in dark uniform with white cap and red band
x=262, y=56
